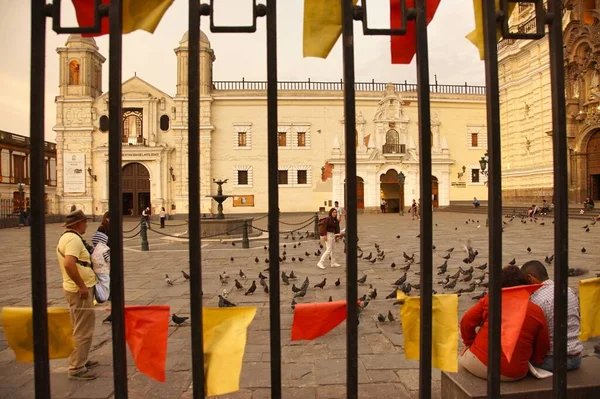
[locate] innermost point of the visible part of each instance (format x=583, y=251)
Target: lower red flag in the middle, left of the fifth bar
x=312, y=320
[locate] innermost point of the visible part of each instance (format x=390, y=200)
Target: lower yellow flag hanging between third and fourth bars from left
x=225, y=331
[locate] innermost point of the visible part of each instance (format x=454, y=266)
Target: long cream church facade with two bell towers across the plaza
x=233, y=140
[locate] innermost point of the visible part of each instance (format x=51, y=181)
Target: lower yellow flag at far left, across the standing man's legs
x=18, y=329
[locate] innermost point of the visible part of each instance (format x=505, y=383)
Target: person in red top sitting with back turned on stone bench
x=532, y=345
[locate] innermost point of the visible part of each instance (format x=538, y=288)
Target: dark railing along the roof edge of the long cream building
x=338, y=86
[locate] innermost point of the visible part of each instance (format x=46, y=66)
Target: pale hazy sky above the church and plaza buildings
x=453, y=60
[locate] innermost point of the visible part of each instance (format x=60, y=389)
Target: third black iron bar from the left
x=194, y=199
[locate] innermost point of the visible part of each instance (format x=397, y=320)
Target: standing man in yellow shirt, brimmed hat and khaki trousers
x=78, y=286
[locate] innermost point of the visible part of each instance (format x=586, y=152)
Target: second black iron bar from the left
x=117, y=280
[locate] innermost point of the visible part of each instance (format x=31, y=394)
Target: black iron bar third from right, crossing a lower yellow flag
x=424, y=109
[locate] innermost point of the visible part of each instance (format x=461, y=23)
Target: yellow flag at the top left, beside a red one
x=143, y=14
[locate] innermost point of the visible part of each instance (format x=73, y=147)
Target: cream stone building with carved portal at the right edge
x=525, y=105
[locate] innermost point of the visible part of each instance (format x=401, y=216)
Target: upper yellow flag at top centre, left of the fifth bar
x=322, y=26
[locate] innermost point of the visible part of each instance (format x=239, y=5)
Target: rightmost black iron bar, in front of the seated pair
x=561, y=220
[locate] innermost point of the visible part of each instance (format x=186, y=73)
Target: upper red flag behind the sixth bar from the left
x=404, y=47
